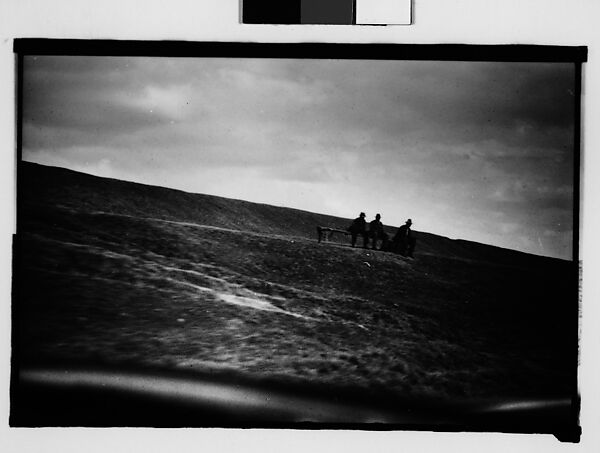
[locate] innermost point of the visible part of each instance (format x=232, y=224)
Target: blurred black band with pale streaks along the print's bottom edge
x=75, y=396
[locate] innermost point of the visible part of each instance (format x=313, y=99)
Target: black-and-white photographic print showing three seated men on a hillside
x=305, y=237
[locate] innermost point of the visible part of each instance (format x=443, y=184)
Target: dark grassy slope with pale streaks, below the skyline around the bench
x=120, y=272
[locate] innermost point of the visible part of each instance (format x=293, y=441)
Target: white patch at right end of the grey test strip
x=383, y=12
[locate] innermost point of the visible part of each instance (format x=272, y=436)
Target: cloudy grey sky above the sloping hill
x=478, y=151
